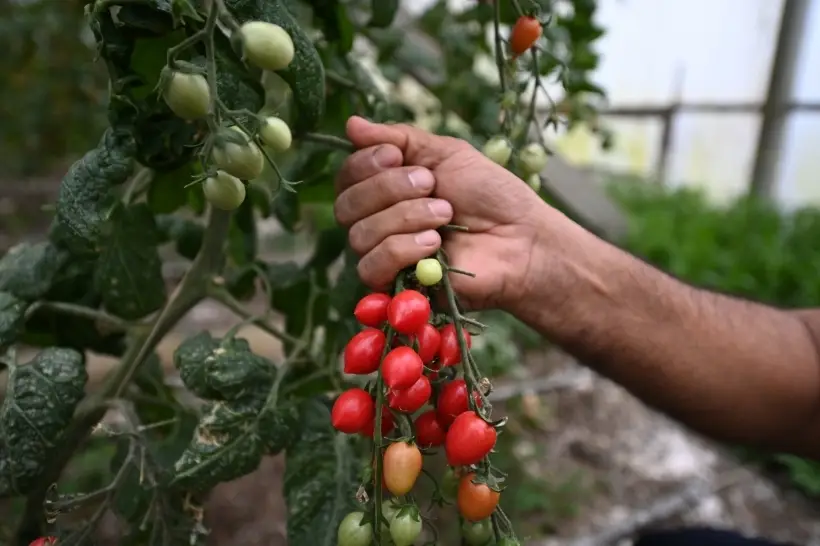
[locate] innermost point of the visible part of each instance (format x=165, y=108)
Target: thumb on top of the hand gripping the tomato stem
x=419, y=147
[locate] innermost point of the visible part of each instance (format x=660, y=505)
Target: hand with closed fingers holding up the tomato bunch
x=404, y=183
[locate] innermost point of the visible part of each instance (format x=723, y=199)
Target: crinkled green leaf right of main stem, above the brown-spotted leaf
x=222, y=369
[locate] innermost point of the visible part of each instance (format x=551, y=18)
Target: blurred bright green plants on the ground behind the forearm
x=748, y=249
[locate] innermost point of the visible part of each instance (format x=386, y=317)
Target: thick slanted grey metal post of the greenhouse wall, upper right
x=781, y=85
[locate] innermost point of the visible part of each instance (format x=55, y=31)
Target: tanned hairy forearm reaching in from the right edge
x=732, y=369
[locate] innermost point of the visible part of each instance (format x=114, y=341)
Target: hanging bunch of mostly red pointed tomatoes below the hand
x=417, y=390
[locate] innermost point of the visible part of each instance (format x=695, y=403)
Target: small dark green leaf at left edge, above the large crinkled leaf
x=28, y=270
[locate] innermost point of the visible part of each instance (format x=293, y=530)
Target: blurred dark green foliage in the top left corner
x=51, y=96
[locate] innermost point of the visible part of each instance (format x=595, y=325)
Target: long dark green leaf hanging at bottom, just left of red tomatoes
x=319, y=490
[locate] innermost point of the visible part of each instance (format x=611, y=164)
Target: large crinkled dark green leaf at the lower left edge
x=40, y=400
